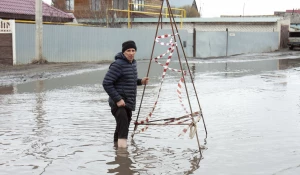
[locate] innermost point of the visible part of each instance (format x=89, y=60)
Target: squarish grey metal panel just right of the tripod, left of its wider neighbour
x=210, y=44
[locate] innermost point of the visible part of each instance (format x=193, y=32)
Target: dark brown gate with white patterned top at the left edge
x=7, y=44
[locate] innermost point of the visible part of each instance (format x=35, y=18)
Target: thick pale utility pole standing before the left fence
x=39, y=31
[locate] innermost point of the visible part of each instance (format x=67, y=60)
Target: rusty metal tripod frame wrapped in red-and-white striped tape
x=190, y=116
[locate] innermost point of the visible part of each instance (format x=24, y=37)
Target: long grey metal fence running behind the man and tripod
x=62, y=43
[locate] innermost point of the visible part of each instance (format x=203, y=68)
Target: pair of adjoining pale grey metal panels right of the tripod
x=214, y=44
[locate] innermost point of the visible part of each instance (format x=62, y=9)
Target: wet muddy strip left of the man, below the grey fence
x=30, y=72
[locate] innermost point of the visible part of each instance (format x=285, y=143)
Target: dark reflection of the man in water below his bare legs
x=123, y=162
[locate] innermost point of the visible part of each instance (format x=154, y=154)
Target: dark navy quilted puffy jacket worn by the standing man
x=121, y=80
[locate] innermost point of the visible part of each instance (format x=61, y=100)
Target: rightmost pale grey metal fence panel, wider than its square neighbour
x=252, y=42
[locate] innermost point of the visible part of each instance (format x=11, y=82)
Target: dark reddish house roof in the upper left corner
x=25, y=10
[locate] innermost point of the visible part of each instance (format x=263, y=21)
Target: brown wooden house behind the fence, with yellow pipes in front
x=97, y=11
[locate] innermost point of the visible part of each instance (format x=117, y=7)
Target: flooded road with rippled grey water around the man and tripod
x=64, y=125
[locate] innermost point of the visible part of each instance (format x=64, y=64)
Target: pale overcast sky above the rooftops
x=215, y=8
